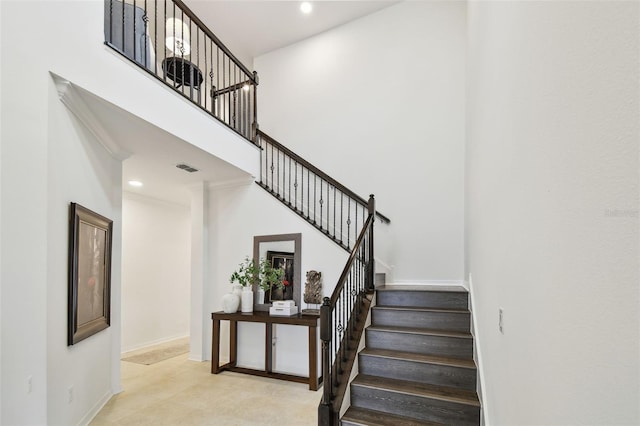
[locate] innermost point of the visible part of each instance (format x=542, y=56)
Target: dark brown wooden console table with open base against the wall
x=310, y=321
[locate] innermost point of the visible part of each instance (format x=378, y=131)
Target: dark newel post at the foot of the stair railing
x=325, y=410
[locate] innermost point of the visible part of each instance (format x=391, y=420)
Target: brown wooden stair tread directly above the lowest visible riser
x=459, y=396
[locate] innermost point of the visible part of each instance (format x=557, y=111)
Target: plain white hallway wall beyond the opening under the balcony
x=156, y=271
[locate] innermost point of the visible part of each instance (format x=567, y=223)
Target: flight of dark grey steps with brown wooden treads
x=417, y=367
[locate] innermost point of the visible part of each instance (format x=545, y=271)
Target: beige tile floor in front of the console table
x=182, y=392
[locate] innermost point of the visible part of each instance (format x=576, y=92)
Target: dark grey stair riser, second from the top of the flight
x=452, y=321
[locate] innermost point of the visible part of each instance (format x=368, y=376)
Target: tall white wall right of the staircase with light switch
x=552, y=196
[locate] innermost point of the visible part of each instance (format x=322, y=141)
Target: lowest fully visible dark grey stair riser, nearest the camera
x=418, y=407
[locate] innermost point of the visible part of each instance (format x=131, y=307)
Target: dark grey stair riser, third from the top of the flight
x=420, y=344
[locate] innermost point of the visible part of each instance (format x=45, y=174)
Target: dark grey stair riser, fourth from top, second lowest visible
x=421, y=372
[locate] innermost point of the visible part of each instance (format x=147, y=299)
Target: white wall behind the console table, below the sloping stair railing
x=237, y=214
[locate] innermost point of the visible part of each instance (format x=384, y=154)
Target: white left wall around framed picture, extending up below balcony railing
x=66, y=38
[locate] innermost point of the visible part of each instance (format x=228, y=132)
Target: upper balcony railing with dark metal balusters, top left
x=167, y=40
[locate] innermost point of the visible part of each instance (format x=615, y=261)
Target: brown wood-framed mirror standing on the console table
x=284, y=246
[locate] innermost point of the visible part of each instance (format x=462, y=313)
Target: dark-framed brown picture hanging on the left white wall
x=90, y=239
